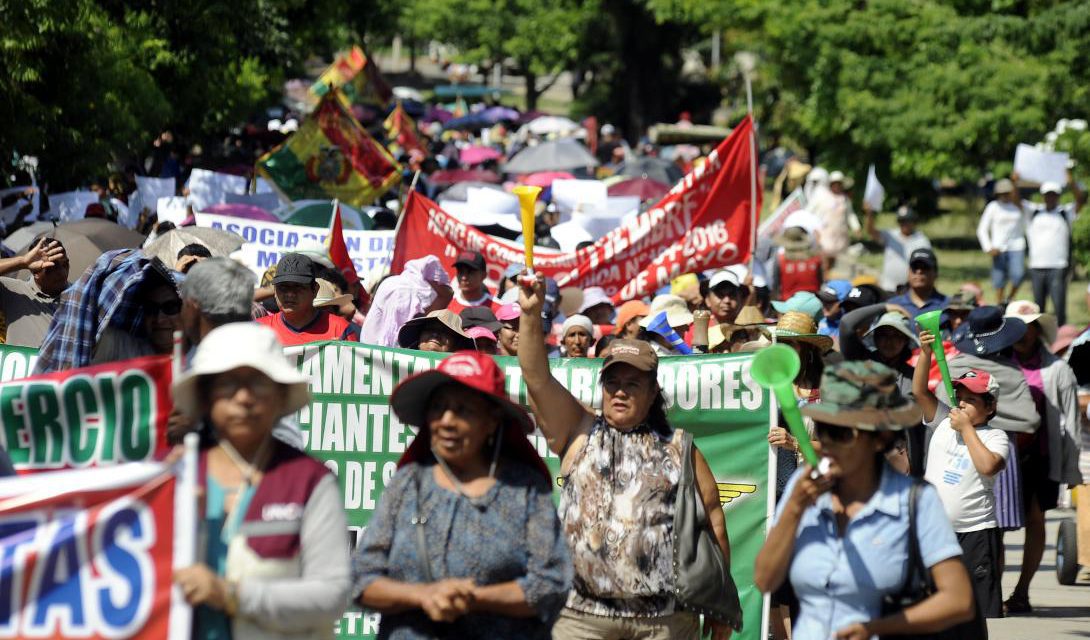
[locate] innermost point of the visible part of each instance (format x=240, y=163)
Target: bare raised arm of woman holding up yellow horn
x=563, y=417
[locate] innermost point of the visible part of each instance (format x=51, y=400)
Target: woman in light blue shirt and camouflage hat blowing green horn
x=843, y=539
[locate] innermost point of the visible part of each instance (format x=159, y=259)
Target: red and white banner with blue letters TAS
x=89, y=554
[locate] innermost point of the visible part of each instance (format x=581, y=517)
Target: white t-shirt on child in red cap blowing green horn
x=967, y=497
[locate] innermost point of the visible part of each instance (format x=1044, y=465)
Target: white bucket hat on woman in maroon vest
x=236, y=346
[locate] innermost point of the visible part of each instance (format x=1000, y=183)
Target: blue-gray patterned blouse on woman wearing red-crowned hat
x=512, y=533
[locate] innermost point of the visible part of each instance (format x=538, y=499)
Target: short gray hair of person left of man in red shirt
x=223, y=289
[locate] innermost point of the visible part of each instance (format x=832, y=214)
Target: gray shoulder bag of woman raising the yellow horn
x=703, y=582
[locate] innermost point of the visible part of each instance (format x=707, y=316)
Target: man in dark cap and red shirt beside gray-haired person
x=299, y=321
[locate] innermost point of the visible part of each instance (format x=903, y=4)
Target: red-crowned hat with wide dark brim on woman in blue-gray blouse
x=471, y=372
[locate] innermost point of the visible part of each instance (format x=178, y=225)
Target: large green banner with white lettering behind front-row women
x=352, y=428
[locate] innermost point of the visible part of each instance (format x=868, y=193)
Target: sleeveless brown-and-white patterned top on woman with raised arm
x=617, y=510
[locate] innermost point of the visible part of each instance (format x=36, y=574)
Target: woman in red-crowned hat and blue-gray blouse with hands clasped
x=466, y=541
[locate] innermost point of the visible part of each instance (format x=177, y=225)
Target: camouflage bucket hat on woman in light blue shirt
x=864, y=395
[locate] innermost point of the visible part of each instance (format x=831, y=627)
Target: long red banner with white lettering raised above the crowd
x=704, y=223
